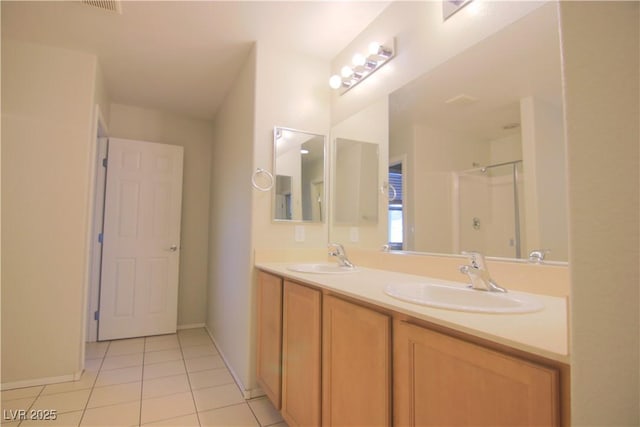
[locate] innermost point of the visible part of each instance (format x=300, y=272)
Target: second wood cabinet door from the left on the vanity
x=301, y=355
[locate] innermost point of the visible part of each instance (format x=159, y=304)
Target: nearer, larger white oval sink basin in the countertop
x=463, y=298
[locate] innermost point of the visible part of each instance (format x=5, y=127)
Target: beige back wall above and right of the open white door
x=196, y=136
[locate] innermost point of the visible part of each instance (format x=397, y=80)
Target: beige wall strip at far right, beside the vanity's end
x=602, y=109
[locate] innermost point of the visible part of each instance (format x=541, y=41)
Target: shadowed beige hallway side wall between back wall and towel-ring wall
x=230, y=287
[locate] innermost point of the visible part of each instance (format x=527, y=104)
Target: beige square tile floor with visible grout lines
x=169, y=380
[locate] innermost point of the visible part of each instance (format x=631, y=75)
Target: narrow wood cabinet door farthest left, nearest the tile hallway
x=269, y=357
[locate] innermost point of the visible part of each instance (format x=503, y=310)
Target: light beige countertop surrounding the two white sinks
x=543, y=333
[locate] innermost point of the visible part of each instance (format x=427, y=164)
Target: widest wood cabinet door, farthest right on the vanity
x=440, y=380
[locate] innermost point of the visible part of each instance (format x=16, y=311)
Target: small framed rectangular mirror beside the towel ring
x=299, y=176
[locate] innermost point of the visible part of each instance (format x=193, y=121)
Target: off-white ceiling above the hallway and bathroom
x=182, y=56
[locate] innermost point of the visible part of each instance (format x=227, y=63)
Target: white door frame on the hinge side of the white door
x=96, y=220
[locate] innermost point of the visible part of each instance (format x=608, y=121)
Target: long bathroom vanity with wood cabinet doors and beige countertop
x=334, y=349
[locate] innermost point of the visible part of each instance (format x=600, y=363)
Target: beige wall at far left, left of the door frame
x=47, y=106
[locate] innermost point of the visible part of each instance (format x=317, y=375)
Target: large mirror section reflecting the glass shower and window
x=476, y=149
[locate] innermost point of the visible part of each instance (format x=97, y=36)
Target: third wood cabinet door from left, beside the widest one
x=356, y=365
